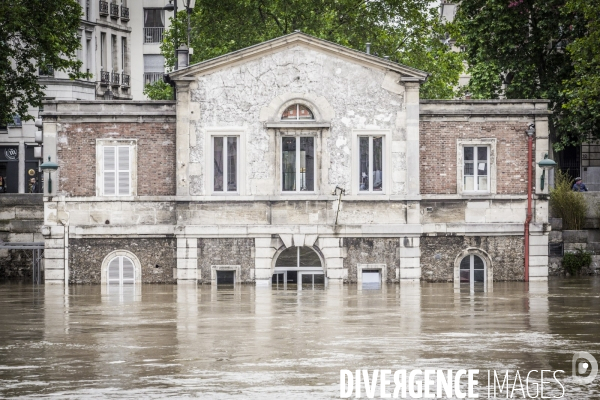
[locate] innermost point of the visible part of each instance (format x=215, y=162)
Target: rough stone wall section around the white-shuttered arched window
x=157, y=257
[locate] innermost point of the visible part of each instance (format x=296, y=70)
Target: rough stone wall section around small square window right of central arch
x=372, y=251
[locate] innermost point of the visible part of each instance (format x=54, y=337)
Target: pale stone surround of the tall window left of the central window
x=208, y=172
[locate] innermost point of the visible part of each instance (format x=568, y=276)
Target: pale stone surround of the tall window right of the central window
x=386, y=154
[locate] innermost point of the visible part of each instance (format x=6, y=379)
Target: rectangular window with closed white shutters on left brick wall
x=116, y=168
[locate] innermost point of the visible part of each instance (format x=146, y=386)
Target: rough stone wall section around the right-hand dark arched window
x=439, y=252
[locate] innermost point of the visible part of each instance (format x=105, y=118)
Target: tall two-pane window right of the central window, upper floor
x=370, y=163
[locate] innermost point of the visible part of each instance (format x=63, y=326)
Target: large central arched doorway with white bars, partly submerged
x=298, y=268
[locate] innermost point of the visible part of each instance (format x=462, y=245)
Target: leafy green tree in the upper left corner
x=35, y=33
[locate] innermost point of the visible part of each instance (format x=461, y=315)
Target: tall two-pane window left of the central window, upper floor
x=225, y=165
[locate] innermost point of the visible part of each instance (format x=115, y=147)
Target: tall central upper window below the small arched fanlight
x=298, y=164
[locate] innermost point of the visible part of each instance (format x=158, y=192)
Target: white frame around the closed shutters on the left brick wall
x=101, y=144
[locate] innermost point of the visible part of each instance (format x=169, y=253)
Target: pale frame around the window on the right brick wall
x=490, y=143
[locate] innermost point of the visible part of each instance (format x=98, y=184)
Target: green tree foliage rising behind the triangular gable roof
x=408, y=31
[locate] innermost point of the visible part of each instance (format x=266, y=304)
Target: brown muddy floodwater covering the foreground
x=245, y=342
